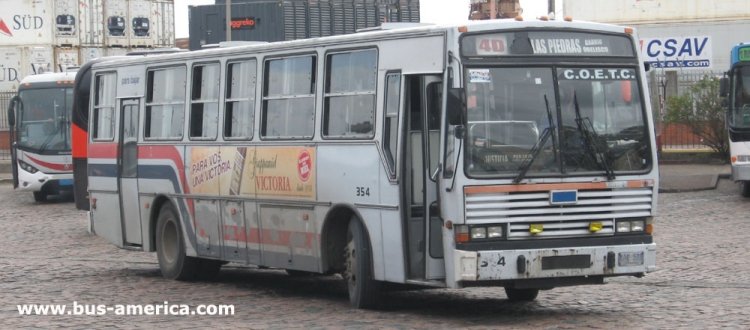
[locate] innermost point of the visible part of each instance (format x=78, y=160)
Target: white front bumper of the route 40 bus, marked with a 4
x=635, y=259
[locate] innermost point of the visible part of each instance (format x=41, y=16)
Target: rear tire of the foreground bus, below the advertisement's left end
x=170, y=247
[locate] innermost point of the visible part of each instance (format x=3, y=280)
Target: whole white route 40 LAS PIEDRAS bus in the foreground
x=499, y=153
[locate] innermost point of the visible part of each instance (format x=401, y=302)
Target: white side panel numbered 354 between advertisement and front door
x=352, y=176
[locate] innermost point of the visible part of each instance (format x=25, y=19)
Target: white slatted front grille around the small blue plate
x=520, y=210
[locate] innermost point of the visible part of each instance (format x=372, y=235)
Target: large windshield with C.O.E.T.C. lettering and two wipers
x=552, y=121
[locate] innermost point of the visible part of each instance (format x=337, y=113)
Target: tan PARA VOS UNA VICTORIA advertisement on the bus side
x=253, y=171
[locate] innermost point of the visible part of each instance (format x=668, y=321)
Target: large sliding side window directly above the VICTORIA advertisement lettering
x=289, y=98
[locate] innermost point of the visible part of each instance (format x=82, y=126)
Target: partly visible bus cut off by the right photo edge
x=736, y=89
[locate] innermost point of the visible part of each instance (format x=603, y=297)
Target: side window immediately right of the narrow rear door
x=165, y=103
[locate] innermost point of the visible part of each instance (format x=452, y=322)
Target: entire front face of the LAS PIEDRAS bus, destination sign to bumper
x=556, y=166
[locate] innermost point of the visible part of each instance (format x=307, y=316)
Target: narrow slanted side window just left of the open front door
x=390, y=125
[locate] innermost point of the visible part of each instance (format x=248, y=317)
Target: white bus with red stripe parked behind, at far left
x=39, y=117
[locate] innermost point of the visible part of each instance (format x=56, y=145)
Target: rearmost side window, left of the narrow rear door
x=104, y=107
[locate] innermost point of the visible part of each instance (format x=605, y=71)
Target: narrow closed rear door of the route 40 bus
x=128, y=172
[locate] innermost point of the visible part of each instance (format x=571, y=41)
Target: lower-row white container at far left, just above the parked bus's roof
x=16, y=62
